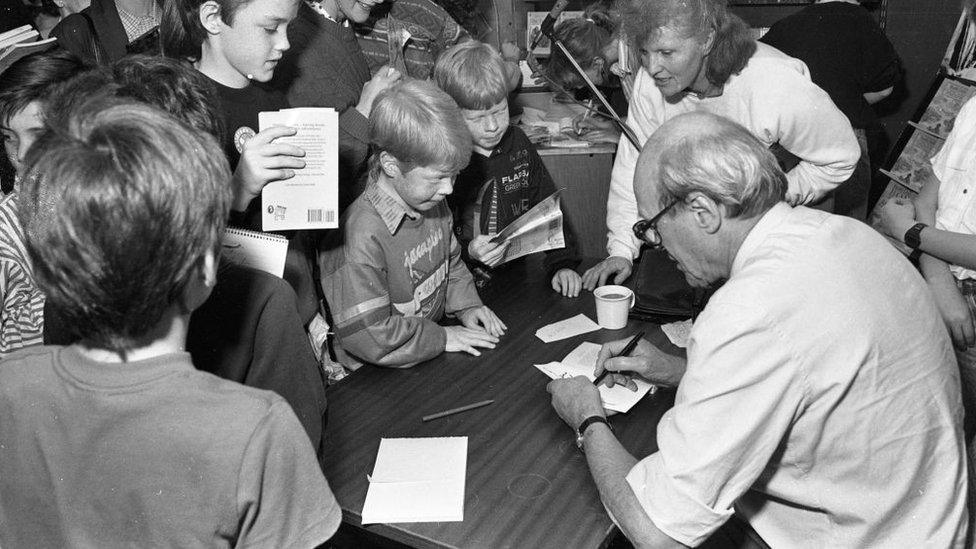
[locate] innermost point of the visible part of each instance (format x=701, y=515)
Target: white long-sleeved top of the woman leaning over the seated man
x=774, y=99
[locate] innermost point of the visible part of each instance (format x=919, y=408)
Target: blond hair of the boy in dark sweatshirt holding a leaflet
x=474, y=74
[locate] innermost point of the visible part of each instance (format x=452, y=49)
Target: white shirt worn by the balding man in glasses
x=821, y=399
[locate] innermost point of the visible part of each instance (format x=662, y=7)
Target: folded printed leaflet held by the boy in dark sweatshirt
x=537, y=230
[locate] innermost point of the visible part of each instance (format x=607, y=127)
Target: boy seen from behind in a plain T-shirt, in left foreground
x=118, y=439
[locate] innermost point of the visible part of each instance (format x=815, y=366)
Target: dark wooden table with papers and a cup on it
x=527, y=485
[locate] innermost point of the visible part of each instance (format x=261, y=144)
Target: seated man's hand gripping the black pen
x=645, y=360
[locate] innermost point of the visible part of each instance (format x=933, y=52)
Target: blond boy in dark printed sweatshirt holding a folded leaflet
x=506, y=176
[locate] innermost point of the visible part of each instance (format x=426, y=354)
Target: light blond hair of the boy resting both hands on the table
x=419, y=125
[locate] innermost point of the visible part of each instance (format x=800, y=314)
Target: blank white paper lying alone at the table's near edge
x=417, y=480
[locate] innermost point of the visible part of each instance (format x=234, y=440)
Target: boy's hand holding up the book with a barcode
x=263, y=161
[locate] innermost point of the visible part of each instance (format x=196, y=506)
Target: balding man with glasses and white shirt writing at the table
x=819, y=401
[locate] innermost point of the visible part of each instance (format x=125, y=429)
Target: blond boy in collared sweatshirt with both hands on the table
x=393, y=270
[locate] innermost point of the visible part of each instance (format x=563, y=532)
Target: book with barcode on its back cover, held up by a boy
x=310, y=200
